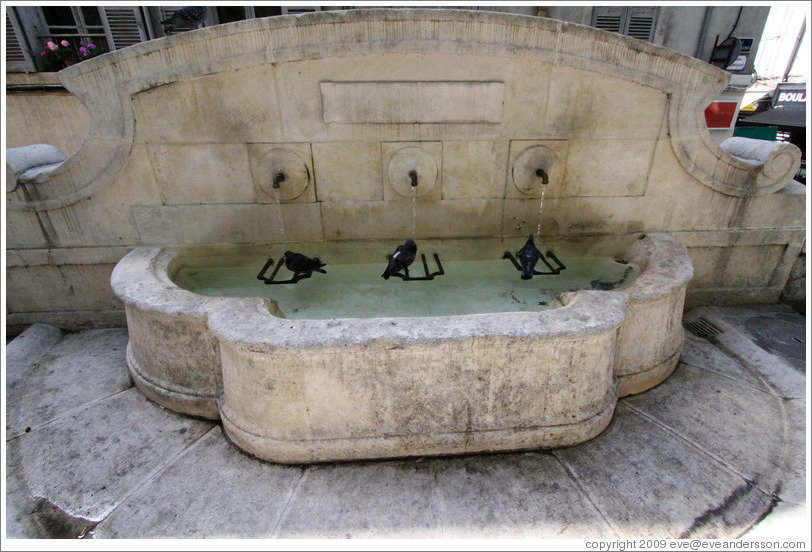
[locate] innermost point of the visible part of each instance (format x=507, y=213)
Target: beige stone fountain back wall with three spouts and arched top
x=190, y=136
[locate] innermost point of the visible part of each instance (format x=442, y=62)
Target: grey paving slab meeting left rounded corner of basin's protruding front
x=212, y=490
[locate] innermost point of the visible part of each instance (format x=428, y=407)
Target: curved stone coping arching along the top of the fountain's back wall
x=105, y=84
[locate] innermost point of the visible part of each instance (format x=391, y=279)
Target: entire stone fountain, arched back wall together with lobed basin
x=450, y=126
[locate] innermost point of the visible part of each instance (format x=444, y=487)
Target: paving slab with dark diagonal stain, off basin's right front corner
x=649, y=483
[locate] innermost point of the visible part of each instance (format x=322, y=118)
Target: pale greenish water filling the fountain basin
x=358, y=291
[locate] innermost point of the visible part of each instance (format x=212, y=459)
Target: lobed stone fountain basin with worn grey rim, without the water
x=314, y=390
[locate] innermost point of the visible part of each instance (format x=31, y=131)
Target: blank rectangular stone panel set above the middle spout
x=412, y=102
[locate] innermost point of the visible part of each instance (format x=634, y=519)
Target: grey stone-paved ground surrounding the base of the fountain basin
x=716, y=451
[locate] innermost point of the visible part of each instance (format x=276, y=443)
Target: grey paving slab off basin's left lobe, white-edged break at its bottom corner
x=88, y=462
